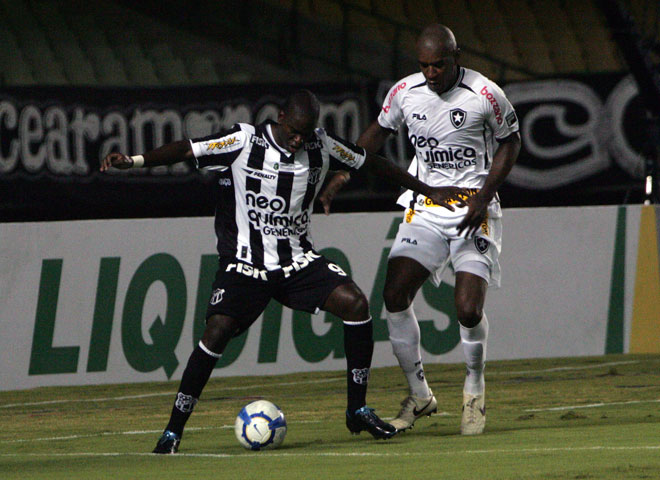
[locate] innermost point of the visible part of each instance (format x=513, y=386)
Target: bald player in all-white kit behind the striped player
x=465, y=134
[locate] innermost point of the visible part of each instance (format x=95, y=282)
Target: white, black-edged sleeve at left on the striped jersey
x=218, y=151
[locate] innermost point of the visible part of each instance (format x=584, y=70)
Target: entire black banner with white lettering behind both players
x=582, y=139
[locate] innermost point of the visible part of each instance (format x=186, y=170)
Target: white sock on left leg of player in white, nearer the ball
x=404, y=337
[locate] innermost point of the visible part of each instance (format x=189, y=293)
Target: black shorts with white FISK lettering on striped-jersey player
x=243, y=292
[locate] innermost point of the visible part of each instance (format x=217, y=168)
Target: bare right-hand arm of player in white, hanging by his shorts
x=503, y=161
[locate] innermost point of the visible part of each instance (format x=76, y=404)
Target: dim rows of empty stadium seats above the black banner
x=167, y=42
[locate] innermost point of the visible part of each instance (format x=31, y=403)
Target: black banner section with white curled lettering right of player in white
x=582, y=142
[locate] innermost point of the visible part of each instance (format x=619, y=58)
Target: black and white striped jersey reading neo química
x=265, y=193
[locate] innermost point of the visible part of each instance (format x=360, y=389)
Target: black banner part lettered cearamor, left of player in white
x=53, y=138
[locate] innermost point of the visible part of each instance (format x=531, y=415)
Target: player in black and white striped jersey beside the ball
x=269, y=175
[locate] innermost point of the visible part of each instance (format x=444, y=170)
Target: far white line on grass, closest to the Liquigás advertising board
x=307, y=382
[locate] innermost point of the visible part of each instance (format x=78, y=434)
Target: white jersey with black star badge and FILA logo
x=454, y=133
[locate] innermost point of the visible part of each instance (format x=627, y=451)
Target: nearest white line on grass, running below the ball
x=514, y=451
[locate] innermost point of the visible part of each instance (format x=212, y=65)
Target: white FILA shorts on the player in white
x=434, y=242
